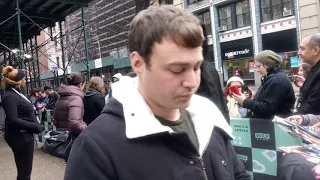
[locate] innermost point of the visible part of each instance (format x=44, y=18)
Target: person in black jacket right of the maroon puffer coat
x=94, y=99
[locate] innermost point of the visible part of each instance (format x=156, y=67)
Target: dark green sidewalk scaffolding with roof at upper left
x=23, y=52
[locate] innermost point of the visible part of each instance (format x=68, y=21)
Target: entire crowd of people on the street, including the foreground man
x=169, y=118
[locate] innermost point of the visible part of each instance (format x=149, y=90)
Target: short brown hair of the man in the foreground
x=152, y=25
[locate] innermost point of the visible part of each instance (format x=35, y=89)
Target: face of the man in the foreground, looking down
x=172, y=76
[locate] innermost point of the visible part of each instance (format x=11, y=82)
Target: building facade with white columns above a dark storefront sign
x=246, y=27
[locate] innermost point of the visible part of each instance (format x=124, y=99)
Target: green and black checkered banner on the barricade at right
x=256, y=143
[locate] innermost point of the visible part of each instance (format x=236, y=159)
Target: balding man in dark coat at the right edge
x=310, y=91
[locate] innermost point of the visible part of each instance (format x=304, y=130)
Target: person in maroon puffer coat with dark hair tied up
x=69, y=112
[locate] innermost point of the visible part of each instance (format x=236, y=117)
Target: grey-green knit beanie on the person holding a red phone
x=268, y=58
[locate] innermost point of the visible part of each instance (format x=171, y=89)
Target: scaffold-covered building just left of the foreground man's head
x=107, y=24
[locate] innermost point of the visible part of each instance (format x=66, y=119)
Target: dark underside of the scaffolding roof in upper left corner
x=45, y=13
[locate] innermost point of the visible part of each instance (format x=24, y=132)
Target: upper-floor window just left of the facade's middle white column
x=243, y=14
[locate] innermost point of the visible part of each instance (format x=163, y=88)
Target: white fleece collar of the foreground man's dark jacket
x=140, y=120
